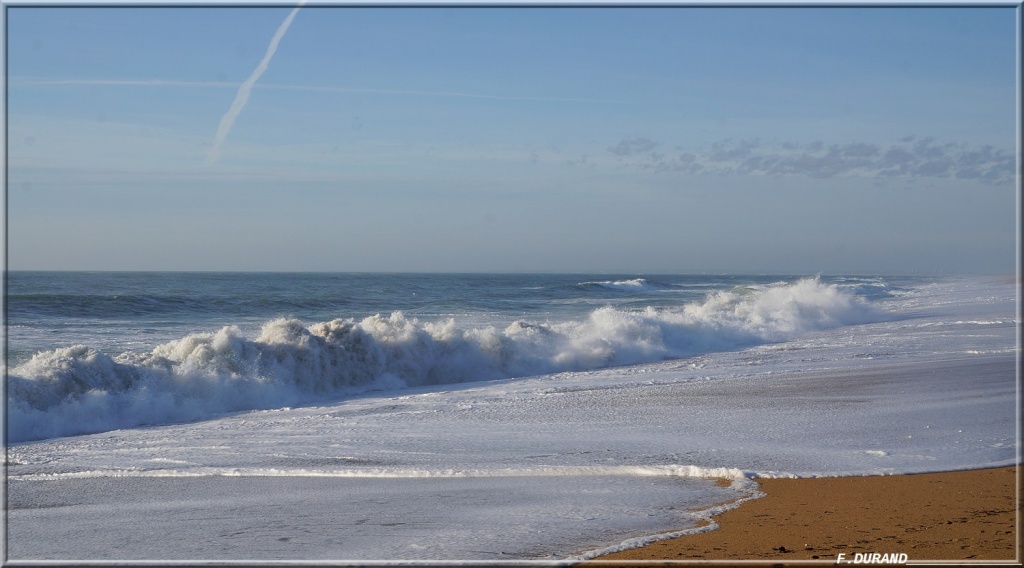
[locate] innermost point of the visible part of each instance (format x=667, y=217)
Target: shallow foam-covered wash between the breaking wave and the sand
x=252, y=479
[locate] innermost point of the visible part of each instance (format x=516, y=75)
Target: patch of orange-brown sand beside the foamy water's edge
x=971, y=515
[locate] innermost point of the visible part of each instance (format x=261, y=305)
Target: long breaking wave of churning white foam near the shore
x=78, y=390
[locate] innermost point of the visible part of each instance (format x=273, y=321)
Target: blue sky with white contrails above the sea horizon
x=675, y=140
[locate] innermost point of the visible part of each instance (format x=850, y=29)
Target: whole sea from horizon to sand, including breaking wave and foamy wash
x=468, y=418
